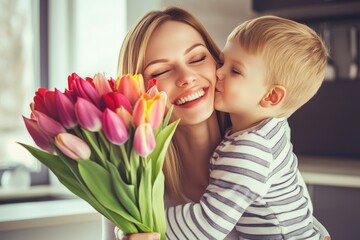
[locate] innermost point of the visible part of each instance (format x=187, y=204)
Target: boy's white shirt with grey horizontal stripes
x=255, y=186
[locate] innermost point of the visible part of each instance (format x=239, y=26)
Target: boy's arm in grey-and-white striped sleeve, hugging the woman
x=237, y=180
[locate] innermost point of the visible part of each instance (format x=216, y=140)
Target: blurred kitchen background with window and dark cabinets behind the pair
x=43, y=41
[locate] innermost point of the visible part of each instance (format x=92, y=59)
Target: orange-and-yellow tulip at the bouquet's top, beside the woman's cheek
x=132, y=86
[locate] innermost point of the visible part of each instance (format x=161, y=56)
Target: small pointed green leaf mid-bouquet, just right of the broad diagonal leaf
x=125, y=193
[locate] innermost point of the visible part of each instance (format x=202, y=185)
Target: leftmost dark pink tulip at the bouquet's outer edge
x=39, y=137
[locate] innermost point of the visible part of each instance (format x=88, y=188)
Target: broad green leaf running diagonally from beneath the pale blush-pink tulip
x=98, y=181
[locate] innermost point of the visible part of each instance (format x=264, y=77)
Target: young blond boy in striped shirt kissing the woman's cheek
x=270, y=67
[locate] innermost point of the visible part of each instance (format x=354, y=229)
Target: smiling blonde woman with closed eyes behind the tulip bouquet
x=174, y=47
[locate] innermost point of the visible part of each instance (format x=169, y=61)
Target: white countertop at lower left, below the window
x=24, y=215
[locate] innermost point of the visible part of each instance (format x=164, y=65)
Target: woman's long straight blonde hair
x=132, y=60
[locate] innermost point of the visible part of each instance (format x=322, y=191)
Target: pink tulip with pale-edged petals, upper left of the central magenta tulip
x=88, y=115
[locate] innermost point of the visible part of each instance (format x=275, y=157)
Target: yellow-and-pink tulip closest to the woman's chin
x=149, y=110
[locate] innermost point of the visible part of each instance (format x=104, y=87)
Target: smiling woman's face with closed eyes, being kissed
x=177, y=57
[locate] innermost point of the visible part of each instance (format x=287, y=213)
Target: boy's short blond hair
x=295, y=56
